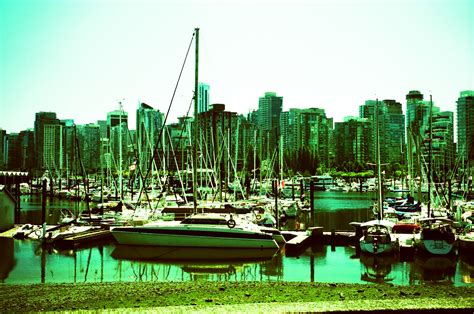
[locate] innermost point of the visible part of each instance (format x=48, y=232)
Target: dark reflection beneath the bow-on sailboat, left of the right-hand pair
x=377, y=269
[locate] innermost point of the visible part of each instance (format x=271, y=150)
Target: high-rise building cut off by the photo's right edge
x=465, y=125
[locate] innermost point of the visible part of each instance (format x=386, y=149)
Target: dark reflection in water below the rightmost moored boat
x=435, y=269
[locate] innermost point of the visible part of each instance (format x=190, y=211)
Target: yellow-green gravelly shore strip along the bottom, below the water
x=232, y=296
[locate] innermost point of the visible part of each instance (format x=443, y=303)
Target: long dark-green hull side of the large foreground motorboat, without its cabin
x=196, y=237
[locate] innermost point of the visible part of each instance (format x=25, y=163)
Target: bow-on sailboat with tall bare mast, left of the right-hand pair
x=377, y=234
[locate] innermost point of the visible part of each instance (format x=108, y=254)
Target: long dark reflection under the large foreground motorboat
x=191, y=254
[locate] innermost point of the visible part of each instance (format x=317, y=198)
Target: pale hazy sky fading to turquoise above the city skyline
x=79, y=58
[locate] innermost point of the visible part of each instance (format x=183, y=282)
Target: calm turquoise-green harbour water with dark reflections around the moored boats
x=25, y=262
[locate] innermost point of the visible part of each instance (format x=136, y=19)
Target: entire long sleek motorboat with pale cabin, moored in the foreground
x=198, y=230
